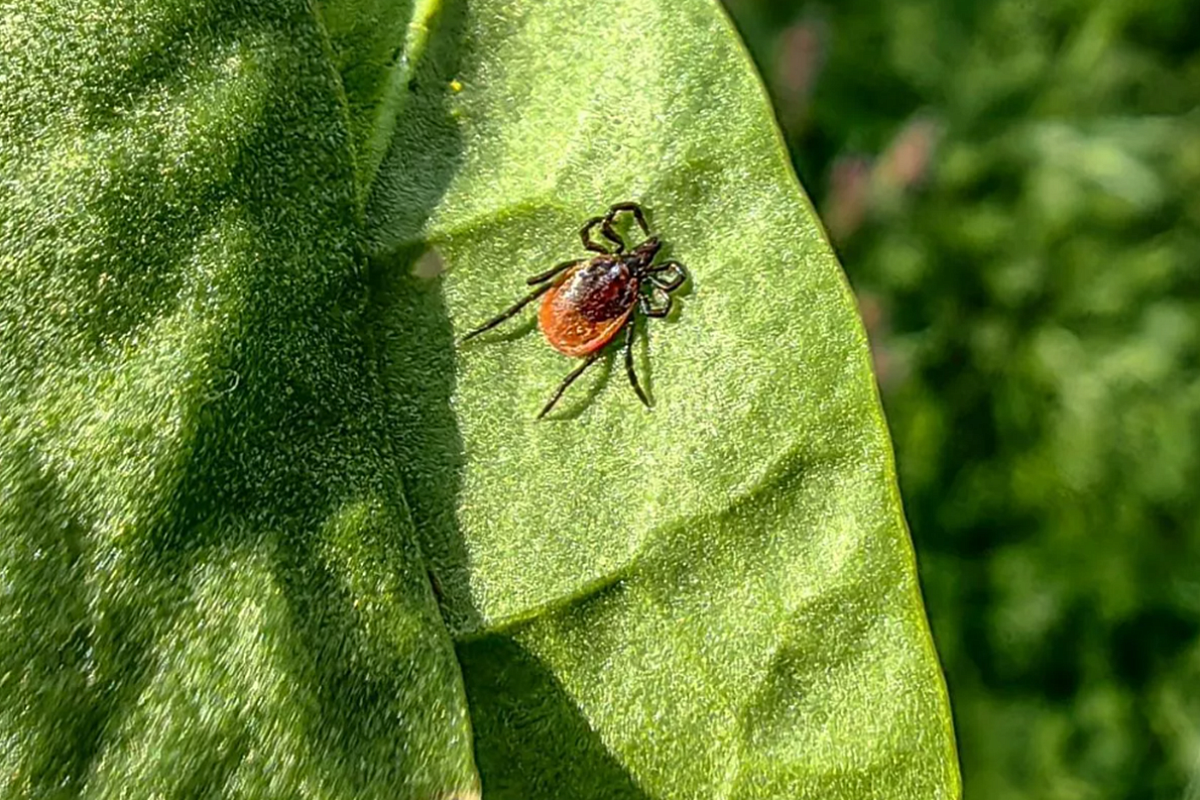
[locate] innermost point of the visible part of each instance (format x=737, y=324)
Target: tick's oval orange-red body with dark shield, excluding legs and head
x=589, y=306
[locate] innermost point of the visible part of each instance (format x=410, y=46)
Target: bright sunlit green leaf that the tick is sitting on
x=713, y=599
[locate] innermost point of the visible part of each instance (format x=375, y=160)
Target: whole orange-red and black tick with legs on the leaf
x=587, y=303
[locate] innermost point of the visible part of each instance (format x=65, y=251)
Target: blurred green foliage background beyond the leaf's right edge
x=1015, y=189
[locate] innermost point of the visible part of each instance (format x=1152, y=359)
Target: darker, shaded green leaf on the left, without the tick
x=209, y=582
